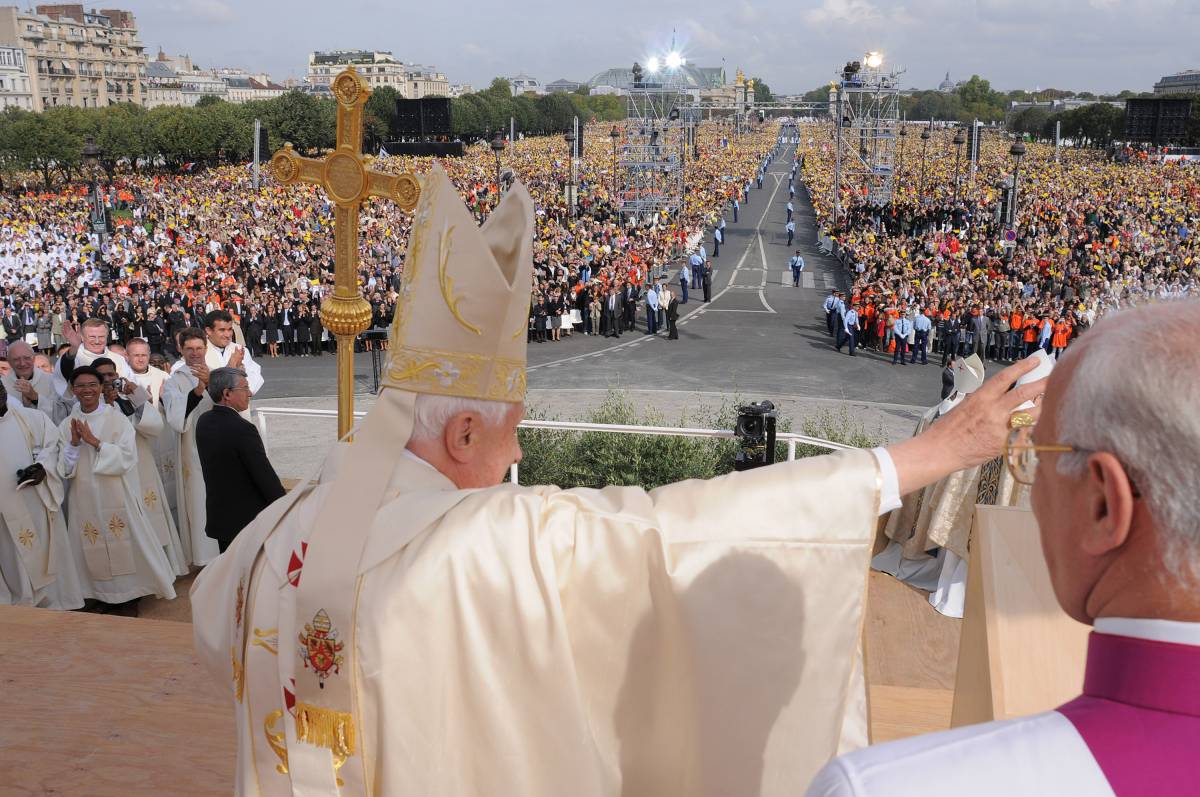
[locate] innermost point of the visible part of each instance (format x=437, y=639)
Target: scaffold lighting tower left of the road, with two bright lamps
x=658, y=140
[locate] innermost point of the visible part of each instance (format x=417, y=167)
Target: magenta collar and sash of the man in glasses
x=1141, y=715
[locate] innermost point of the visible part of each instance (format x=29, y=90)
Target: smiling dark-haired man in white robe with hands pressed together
x=98, y=454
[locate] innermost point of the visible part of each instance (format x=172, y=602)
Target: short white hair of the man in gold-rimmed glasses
x=1136, y=393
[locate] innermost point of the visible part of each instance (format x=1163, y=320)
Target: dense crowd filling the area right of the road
x=1094, y=231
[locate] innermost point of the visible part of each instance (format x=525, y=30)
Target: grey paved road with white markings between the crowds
x=760, y=337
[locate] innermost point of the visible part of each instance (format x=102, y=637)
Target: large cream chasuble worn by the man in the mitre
x=699, y=639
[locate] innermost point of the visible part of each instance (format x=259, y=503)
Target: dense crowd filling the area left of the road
x=185, y=245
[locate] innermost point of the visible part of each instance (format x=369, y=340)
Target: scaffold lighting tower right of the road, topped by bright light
x=866, y=105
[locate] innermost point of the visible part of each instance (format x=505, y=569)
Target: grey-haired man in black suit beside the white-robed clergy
x=239, y=481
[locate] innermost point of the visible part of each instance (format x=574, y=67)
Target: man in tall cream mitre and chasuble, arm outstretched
x=411, y=626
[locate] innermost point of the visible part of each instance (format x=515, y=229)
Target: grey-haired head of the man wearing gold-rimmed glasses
x=1120, y=518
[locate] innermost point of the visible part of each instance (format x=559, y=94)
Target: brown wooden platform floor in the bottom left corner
x=109, y=708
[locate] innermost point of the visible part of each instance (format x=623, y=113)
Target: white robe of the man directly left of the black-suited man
x=200, y=548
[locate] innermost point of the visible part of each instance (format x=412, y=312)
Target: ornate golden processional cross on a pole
x=349, y=183
